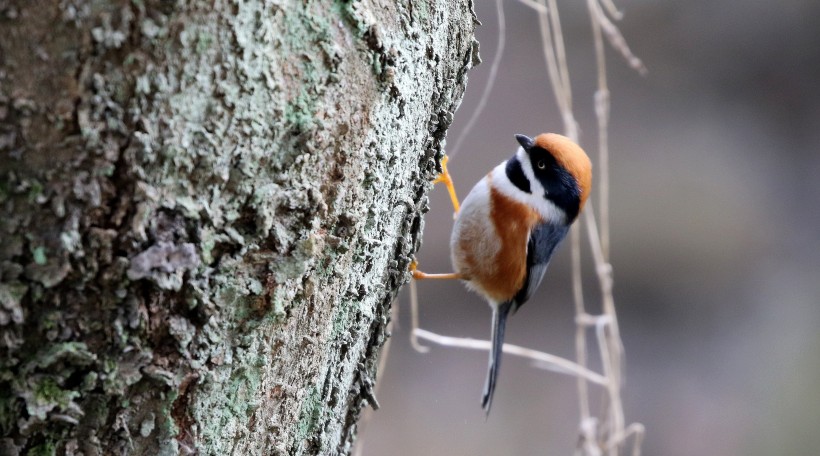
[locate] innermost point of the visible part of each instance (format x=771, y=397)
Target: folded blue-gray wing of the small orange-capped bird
x=544, y=238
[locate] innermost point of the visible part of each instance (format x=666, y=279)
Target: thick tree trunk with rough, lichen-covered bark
x=207, y=208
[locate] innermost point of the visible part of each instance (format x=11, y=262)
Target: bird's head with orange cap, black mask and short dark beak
x=557, y=168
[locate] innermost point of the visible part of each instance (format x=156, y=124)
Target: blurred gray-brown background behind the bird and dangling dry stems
x=716, y=242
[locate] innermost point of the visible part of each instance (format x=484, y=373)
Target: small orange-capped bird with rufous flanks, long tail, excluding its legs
x=510, y=224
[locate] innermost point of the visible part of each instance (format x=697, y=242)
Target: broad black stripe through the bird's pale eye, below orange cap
x=559, y=185
